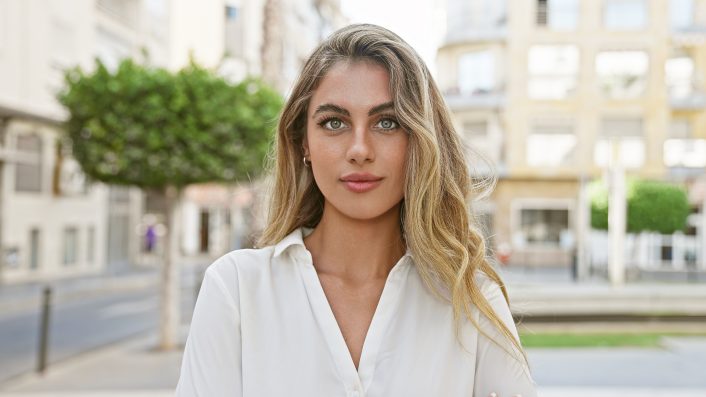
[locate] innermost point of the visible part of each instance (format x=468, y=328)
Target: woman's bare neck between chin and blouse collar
x=356, y=250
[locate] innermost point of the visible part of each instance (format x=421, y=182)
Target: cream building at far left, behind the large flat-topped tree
x=52, y=224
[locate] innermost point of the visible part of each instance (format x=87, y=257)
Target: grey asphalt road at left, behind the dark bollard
x=80, y=325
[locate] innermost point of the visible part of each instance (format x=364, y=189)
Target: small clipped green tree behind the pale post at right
x=651, y=206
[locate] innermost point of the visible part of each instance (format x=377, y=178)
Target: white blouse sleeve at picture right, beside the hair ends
x=497, y=370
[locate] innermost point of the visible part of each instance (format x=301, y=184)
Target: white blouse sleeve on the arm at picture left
x=211, y=365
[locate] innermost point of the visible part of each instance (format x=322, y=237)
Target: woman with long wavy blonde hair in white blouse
x=372, y=280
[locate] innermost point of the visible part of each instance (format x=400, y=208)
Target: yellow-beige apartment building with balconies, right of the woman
x=549, y=90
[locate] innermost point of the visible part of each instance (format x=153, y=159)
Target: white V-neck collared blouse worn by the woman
x=262, y=326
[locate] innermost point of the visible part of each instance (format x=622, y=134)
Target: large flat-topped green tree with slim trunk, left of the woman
x=159, y=130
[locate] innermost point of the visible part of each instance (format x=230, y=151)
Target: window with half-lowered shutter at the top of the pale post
x=623, y=140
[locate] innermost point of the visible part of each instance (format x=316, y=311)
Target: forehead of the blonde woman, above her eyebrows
x=353, y=85
